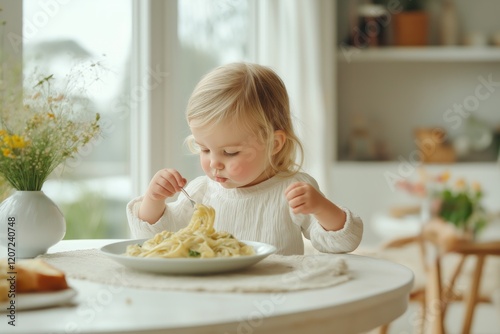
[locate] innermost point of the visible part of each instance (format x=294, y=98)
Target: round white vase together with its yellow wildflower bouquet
x=40, y=128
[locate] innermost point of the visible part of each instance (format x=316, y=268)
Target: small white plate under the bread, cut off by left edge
x=28, y=301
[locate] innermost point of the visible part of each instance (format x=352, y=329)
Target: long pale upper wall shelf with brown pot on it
x=349, y=54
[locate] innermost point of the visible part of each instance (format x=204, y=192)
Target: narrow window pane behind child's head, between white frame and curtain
x=210, y=33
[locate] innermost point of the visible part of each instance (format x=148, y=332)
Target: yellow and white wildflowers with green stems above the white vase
x=40, y=128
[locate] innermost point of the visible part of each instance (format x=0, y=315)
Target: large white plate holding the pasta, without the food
x=117, y=250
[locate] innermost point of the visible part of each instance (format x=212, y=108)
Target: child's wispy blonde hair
x=256, y=98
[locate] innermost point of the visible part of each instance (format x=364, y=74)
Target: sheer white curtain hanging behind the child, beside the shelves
x=296, y=39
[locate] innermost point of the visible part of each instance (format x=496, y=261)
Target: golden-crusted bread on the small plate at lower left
x=32, y=275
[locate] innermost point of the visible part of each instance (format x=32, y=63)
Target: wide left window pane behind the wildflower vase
x=58, y=36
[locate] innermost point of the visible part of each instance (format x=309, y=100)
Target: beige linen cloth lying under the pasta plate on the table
x=275, y=273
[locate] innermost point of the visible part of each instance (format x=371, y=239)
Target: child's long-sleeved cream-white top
x=258, y=213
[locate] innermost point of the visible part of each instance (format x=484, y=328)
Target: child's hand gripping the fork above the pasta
x=165, y=183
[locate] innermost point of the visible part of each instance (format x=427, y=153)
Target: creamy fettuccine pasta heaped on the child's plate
x=199, y=239
